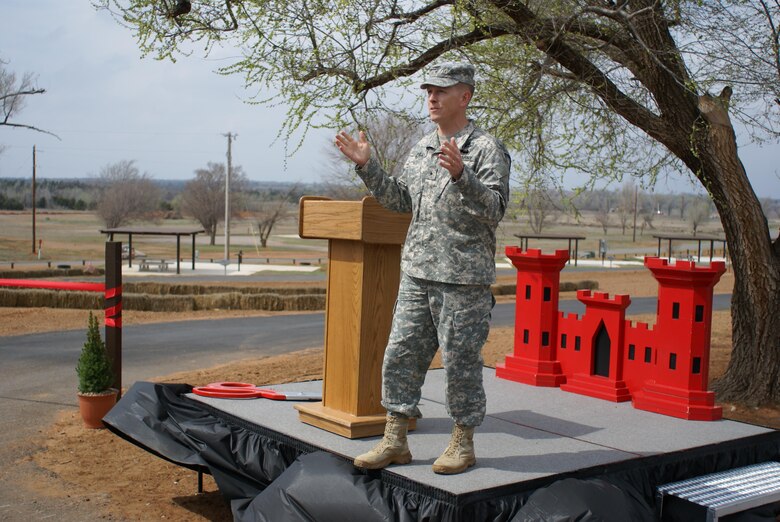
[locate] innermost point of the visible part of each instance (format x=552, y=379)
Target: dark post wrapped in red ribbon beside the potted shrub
x=113, y=308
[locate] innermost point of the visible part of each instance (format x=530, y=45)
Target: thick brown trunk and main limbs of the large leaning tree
x=699, y=133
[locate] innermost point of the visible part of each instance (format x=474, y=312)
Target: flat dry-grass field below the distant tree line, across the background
x=70, y=237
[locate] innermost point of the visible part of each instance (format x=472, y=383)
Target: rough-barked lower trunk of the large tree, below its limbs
x=753, y=374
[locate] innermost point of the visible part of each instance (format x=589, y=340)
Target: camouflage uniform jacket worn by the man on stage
x=452, y=236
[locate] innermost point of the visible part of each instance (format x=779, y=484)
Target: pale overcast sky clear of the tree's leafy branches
x=107, y=104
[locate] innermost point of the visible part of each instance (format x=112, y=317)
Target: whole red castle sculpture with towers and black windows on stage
x=603, y=355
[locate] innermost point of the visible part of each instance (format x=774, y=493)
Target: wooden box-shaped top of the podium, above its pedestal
x=366, y=221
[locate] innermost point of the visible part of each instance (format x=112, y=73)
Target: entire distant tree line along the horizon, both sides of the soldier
x=121, y=194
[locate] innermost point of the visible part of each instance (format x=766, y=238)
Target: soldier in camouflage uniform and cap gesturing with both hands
x=456, y=185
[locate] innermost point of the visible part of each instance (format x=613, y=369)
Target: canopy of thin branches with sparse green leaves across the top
x=571, y=87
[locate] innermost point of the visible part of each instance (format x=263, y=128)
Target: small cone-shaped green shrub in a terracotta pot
x=96, y=396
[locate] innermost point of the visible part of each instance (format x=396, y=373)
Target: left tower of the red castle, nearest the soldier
x=536, y=318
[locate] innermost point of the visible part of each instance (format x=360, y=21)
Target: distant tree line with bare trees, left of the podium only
x=121, y=194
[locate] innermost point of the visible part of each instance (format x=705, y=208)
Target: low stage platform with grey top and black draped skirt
x=532, y=437
